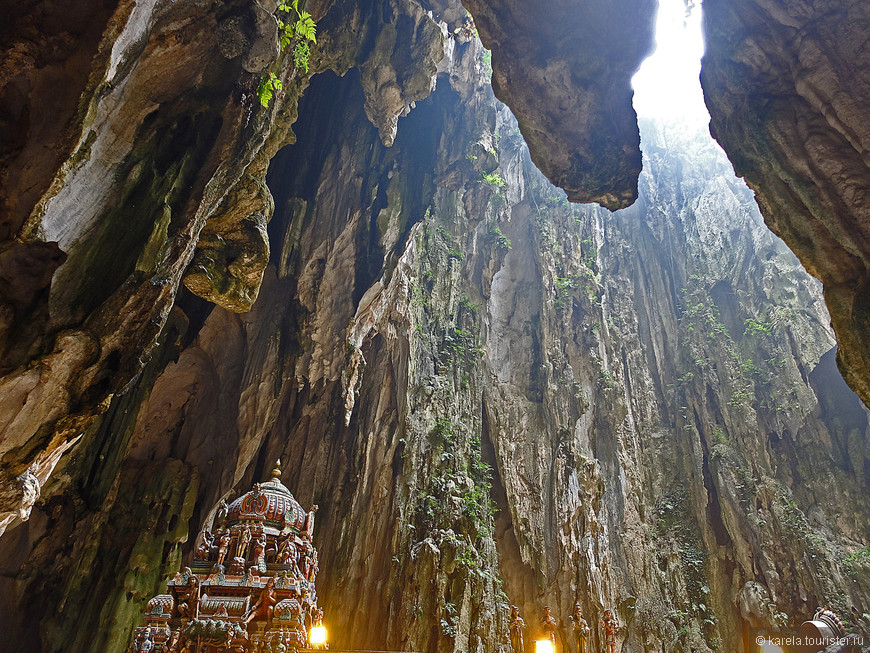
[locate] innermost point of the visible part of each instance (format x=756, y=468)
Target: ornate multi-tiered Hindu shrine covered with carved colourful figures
x=250, y=587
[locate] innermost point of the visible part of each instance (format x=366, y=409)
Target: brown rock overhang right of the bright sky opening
x=788, y=89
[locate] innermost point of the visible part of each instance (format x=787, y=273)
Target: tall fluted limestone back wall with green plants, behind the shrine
x=494, y=396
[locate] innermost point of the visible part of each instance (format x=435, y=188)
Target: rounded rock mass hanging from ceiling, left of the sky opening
x=565, y=71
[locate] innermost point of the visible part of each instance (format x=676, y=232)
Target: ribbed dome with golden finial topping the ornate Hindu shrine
x=270, y=504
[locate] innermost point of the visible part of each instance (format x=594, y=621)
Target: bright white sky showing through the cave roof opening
x=666, y=87
